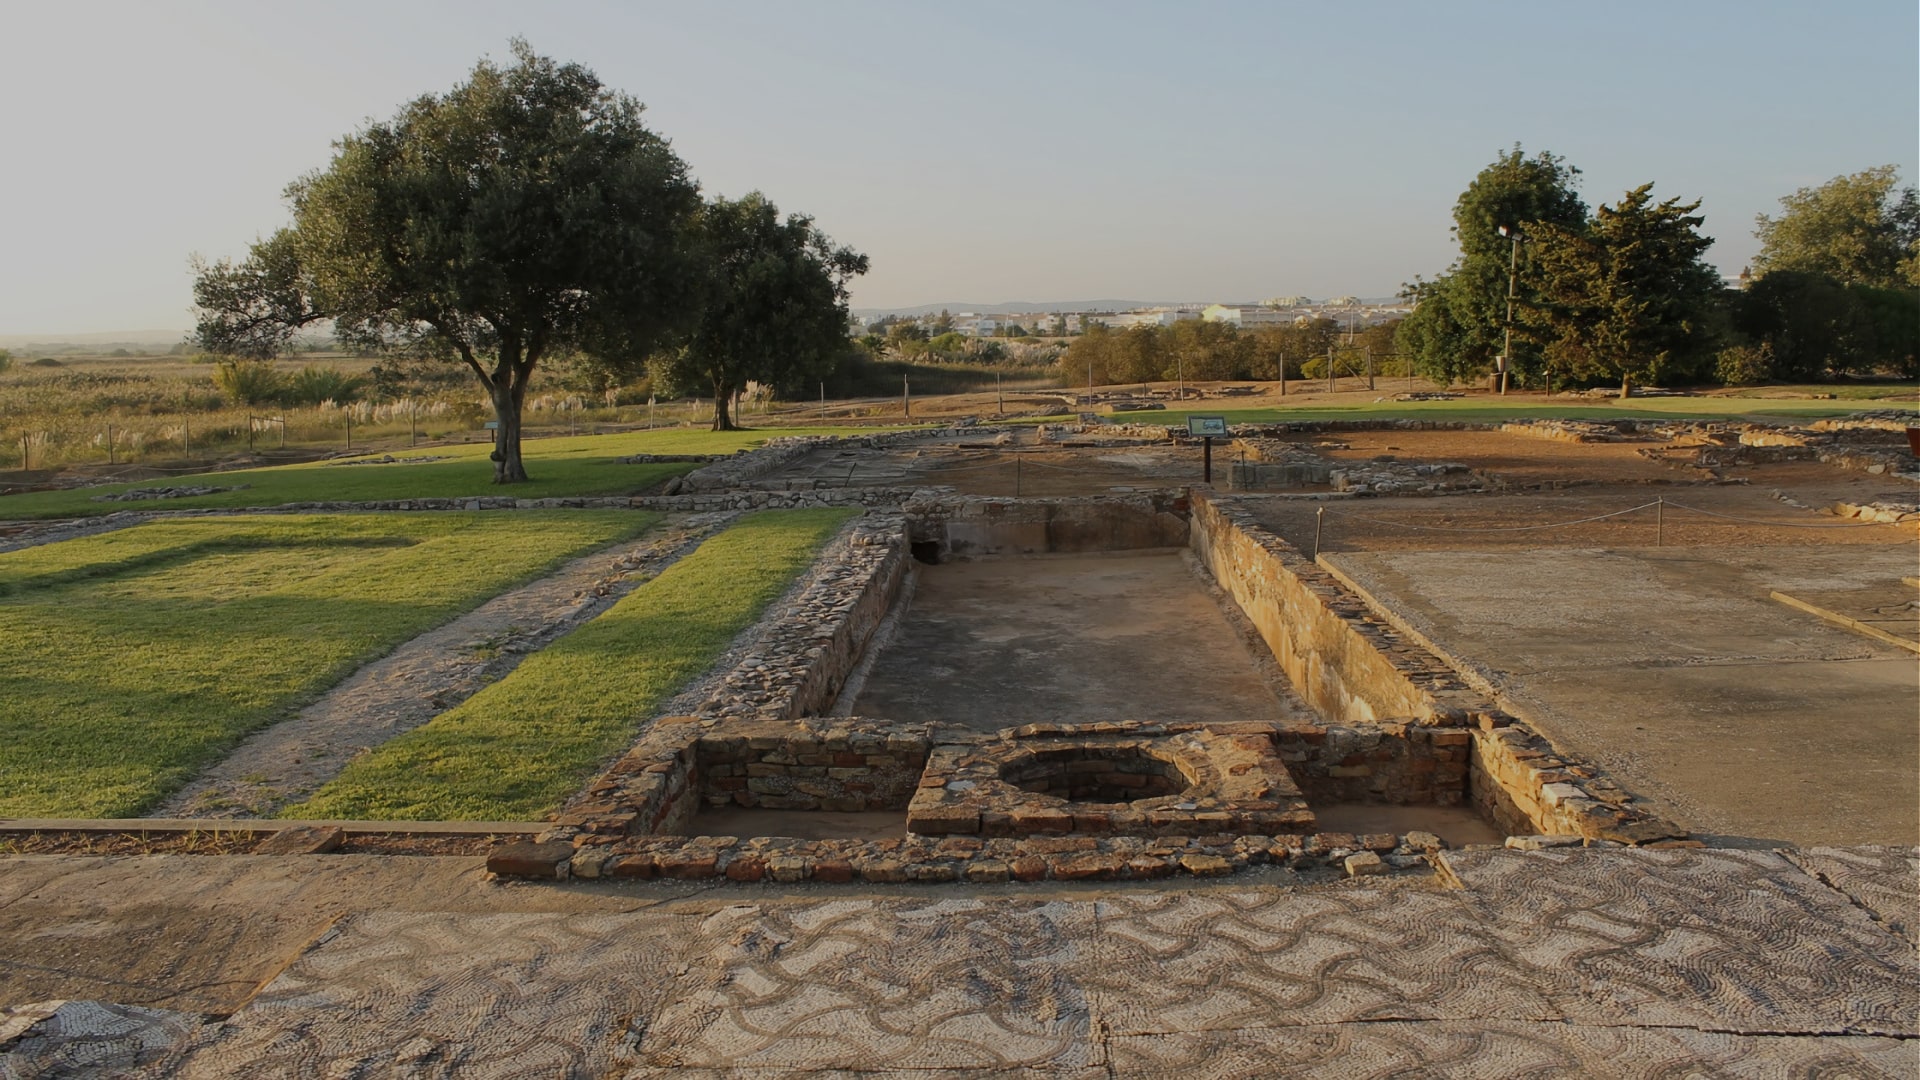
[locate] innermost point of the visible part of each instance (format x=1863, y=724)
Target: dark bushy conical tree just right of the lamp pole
x=1625, y=295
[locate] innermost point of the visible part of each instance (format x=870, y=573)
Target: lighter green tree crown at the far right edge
x=1860, y=230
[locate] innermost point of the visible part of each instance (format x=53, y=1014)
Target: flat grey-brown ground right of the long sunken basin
x=1673, y=670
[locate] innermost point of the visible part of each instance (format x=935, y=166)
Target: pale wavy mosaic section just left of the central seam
x=884, y=985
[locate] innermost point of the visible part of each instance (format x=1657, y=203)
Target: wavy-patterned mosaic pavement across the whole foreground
x=1560, y=962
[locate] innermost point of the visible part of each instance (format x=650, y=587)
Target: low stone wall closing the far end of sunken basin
x=978, y=526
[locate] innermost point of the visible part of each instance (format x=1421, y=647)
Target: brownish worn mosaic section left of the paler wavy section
x=473, y=996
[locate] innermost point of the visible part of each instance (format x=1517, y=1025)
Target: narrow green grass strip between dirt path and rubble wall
x=519, y=749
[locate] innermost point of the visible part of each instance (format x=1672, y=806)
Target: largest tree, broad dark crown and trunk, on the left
x=525, y=212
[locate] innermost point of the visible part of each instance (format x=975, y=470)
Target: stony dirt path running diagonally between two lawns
x=427, y=675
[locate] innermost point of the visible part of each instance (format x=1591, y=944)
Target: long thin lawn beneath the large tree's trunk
x=571, y=466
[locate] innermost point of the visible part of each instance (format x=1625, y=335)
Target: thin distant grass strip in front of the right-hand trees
x=1483, y=410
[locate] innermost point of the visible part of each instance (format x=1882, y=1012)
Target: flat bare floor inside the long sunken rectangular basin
x=1068, y=639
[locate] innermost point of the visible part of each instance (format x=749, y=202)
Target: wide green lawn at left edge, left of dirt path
x=137, y=658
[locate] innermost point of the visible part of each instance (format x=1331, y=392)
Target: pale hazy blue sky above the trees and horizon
x=978, y=153
